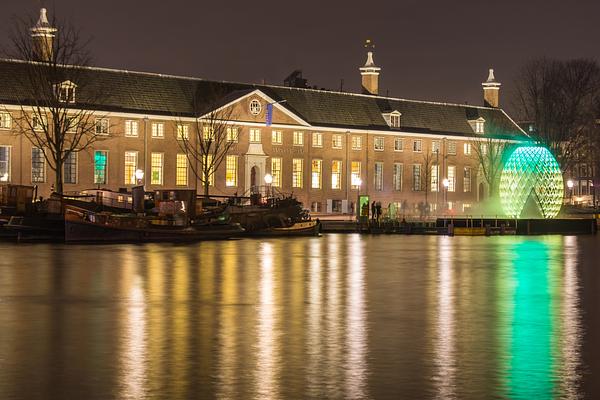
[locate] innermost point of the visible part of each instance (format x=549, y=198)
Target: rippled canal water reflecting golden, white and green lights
x=340, y=317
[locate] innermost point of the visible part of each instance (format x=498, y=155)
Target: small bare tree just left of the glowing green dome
x=490, y=154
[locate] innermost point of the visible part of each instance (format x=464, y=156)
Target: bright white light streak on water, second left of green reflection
x=356, y=339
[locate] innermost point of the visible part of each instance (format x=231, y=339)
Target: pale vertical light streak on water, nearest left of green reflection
x=444, y=348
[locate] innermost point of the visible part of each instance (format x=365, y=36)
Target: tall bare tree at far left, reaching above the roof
x=57, y=94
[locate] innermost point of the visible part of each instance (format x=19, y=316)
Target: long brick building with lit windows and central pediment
x=325, y=147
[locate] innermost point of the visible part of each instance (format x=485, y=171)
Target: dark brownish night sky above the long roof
x=430, y=50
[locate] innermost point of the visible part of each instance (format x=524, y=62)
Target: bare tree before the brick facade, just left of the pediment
x=207, y=140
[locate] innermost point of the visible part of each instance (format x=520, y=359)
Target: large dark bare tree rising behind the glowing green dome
x=559, y=98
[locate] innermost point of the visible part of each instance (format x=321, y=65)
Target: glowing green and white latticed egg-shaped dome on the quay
x=531, y=175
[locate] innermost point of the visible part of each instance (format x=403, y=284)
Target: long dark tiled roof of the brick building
x=157, y=94
